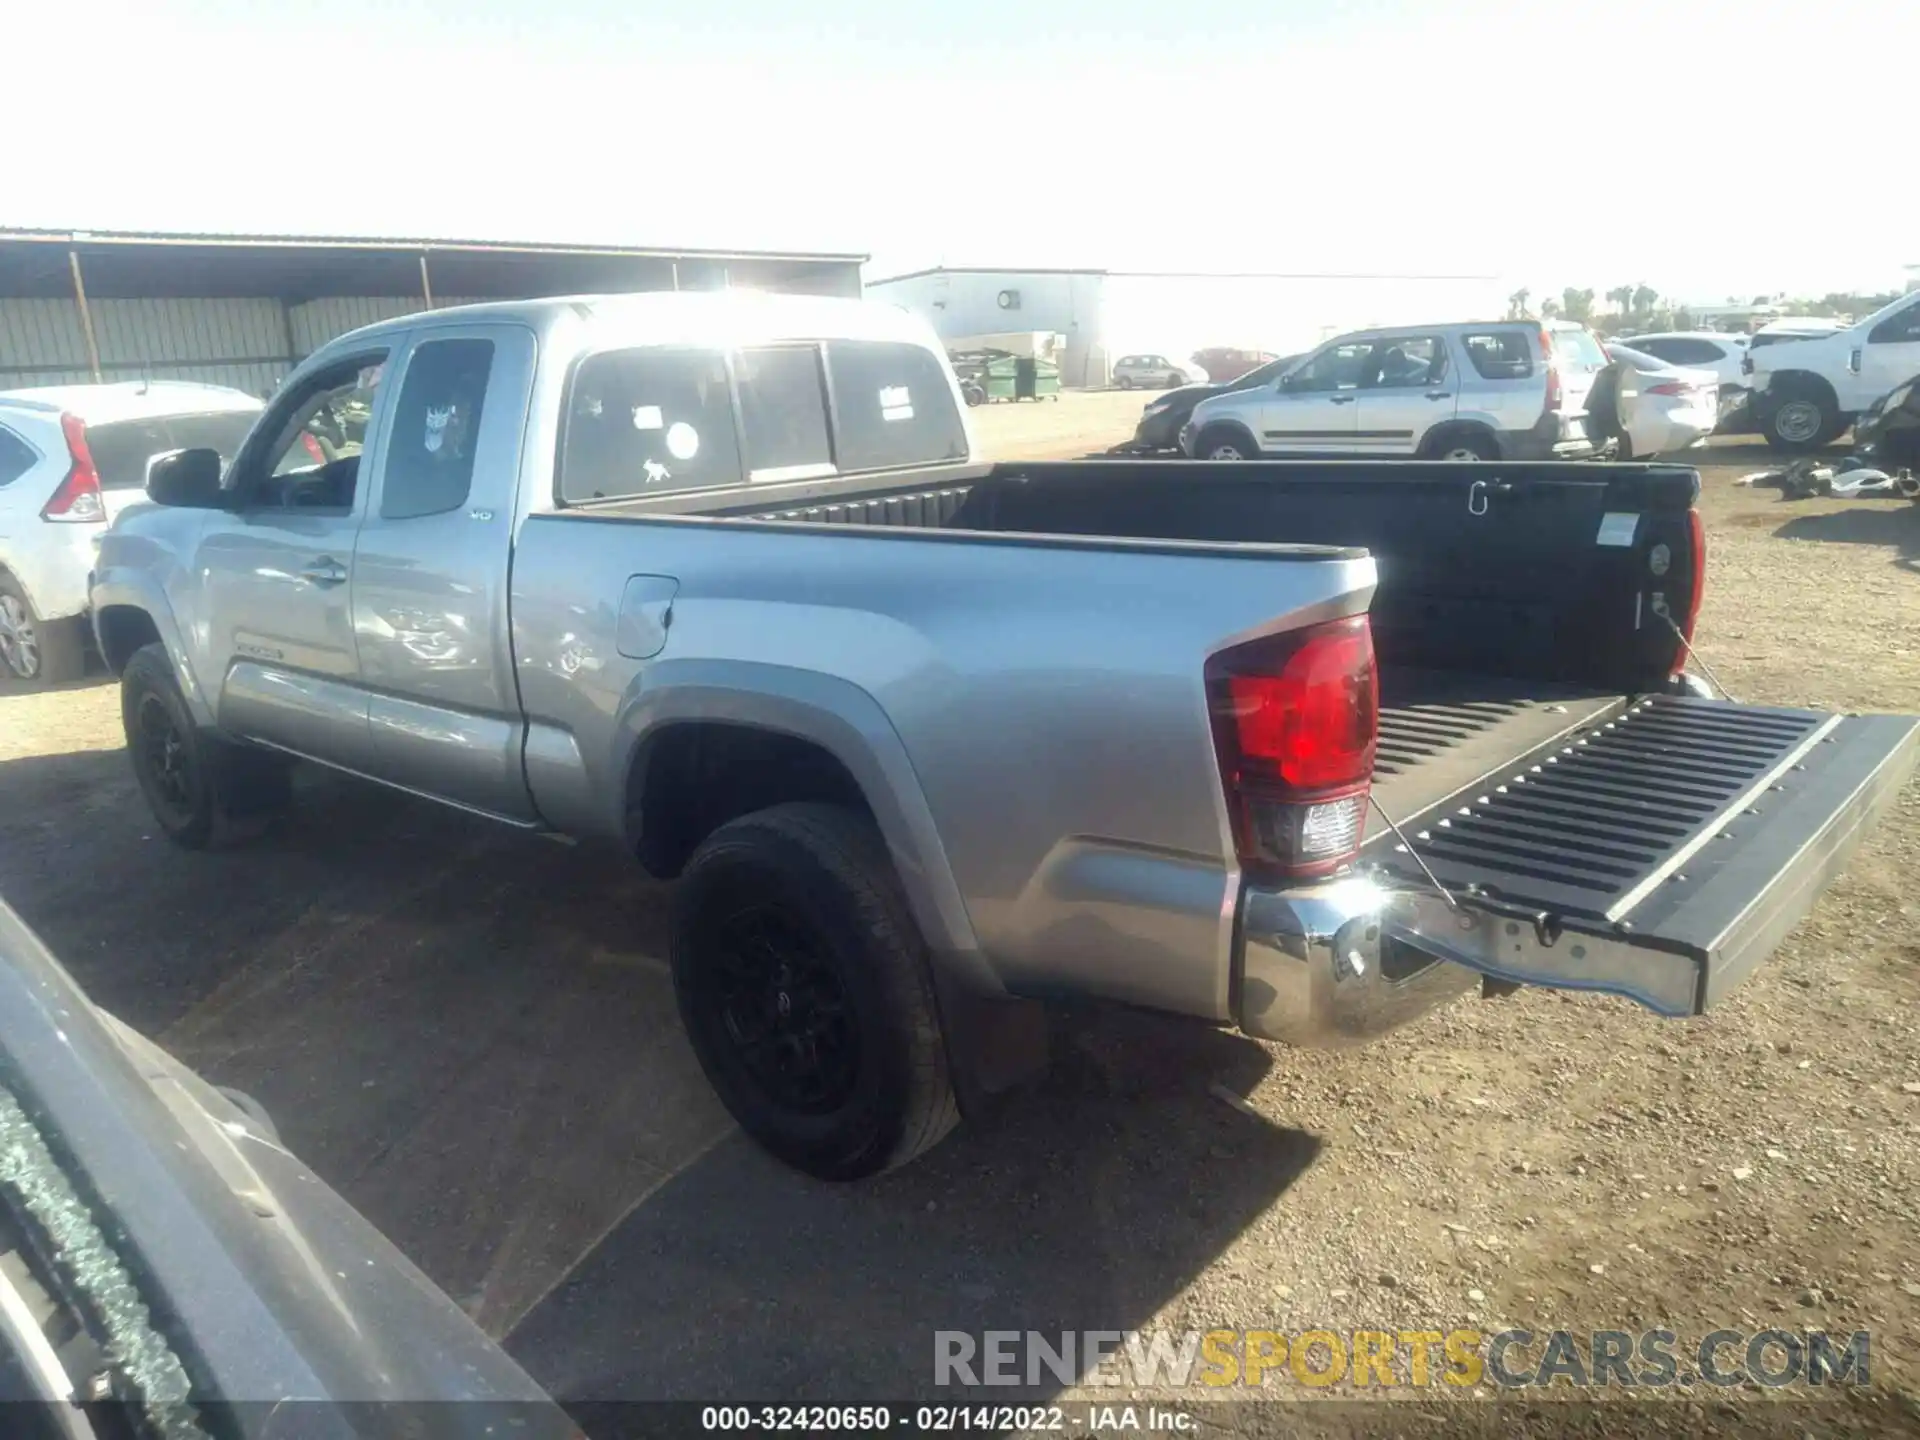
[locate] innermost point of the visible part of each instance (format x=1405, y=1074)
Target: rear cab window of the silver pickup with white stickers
x=658, y=420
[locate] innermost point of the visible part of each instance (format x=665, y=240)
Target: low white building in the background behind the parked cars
x=1111, y=314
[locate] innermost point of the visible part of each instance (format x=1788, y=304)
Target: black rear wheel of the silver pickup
x=807, y=996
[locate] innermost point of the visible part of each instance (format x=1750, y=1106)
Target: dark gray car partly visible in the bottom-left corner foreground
x=229, y=1289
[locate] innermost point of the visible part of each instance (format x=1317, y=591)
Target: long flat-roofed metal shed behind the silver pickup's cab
x=245, y=310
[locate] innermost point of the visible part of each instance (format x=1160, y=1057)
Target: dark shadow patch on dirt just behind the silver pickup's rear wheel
x=1090, y=1207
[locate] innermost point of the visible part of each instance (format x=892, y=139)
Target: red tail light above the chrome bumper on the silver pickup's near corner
x=1295, y=727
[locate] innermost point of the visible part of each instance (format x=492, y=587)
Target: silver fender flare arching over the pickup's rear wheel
x=850, y=725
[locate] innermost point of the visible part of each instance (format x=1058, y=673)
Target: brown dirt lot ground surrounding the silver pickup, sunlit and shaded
x=473, y=1038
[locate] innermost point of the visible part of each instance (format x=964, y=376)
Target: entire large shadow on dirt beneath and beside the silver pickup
x=471, y=1036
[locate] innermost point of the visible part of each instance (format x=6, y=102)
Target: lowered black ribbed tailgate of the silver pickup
x=1660, y=855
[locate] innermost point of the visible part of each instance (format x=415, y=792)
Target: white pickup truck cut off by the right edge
x=1808, y=391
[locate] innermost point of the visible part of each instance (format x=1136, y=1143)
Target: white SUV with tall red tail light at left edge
x=72, y=458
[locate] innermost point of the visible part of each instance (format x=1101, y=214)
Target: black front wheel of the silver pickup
x=199, y=786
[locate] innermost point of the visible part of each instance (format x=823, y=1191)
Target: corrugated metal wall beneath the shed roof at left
x=249, y=345
